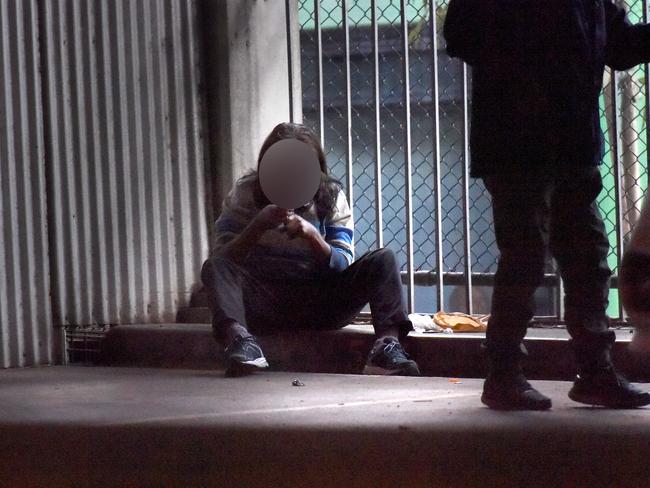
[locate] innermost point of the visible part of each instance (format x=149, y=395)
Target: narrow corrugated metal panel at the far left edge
x=25, y=320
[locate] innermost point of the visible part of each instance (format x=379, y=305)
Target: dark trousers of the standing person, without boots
x=557, y=212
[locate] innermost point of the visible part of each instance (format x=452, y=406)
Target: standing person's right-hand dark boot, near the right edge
x=598, y=383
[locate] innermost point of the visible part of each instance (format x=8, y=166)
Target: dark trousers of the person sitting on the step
x=265, y=304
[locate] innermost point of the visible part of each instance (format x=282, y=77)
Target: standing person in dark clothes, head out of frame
x=537, y=70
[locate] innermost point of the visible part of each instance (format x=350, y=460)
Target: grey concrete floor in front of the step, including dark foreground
x=91, y=426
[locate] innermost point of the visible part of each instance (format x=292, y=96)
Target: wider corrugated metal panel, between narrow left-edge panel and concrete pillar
x=124, y=139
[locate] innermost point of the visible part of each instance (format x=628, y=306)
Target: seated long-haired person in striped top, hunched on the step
x=273, y=269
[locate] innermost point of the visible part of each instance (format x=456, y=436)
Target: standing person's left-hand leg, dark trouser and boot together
x=519, y=205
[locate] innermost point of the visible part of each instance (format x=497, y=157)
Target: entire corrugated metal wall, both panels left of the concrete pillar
x=112, y=132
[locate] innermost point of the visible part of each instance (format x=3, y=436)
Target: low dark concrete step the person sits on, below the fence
x=345, y=351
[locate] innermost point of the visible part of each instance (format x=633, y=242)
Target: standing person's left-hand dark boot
x=506, y=387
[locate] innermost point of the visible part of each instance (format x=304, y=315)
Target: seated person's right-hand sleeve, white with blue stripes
x=339, y=234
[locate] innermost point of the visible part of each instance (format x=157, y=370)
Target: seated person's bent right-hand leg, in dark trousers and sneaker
x=372, y=279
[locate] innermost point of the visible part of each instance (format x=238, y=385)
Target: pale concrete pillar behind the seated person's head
x=247, y=82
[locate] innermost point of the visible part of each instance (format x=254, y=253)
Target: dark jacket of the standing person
x=537, y=71
